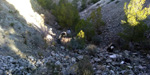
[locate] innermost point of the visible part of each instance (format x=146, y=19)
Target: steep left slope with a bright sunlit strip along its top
x=22, y=29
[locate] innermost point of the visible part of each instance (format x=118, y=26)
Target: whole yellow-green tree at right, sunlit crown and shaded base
x=134, y=27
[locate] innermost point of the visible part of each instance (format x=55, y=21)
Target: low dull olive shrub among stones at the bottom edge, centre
x=83, y=67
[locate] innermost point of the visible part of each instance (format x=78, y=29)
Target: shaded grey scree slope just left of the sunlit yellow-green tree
x=112, y=12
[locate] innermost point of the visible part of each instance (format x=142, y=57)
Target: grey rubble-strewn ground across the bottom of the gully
x=64, y=62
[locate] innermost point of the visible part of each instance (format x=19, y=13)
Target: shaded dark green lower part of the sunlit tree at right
x=134, y=33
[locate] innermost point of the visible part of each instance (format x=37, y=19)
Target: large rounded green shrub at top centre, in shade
x=67, y=15
